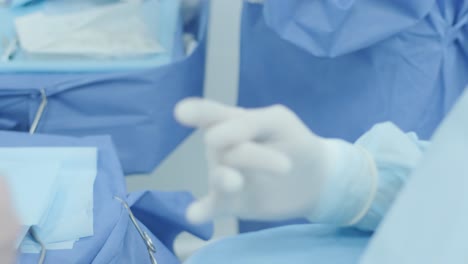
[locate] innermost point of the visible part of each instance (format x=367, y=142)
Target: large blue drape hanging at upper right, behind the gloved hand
x=344, y=66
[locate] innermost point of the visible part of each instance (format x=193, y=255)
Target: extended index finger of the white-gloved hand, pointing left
x=199, y=112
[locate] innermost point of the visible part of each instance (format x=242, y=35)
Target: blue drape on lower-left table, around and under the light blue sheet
x=115, y=239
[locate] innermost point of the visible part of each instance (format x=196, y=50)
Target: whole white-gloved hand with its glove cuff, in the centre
x=265, y=164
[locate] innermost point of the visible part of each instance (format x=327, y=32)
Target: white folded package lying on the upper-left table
x=111, y=30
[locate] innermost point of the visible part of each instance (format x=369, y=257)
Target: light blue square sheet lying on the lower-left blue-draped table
x=63, y=176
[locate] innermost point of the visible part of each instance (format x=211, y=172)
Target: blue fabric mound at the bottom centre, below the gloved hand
x=296, y=244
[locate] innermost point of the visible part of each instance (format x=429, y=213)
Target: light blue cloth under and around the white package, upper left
x=161, y=17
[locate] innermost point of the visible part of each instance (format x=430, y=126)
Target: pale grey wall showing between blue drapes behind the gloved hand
x=185, y=168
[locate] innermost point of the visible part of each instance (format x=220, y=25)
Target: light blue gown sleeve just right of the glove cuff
x=396, y=154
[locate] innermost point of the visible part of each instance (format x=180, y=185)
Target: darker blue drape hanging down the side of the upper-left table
x=139, y=118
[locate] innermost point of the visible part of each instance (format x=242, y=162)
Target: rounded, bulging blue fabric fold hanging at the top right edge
x=329, y=28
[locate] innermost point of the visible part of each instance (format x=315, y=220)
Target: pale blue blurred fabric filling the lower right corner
x=428, y=221
